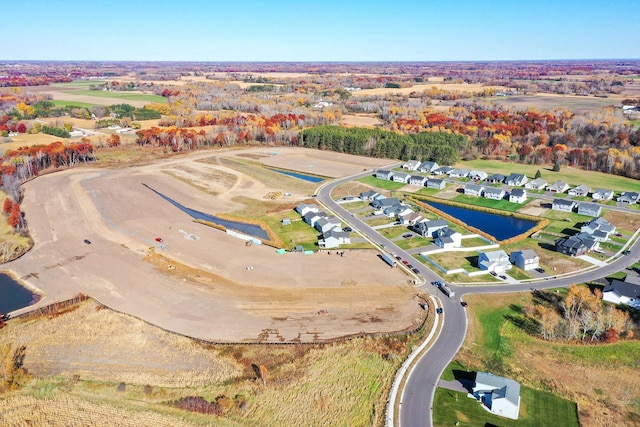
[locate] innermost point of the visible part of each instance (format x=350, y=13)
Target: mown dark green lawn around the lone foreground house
x=537, y=408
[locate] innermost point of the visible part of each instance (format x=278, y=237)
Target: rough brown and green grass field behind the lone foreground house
x=495, y=344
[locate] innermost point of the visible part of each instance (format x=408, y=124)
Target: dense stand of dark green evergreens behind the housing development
x=441, y=147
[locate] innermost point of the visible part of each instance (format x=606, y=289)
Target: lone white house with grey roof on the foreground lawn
x=499, y=394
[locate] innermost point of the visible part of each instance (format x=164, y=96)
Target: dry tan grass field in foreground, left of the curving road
x=94, y=367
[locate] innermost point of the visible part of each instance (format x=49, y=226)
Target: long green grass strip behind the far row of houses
x=572, y=176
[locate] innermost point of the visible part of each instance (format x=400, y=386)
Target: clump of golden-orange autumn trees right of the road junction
x=579, y=316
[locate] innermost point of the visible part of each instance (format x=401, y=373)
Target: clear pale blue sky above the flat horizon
x=329, y=30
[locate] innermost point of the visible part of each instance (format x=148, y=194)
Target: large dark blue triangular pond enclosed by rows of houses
x=501, y=227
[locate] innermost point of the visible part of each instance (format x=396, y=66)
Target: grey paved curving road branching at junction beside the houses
x=418, y=392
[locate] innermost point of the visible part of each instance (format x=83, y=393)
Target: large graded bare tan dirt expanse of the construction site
x=210, y=294
